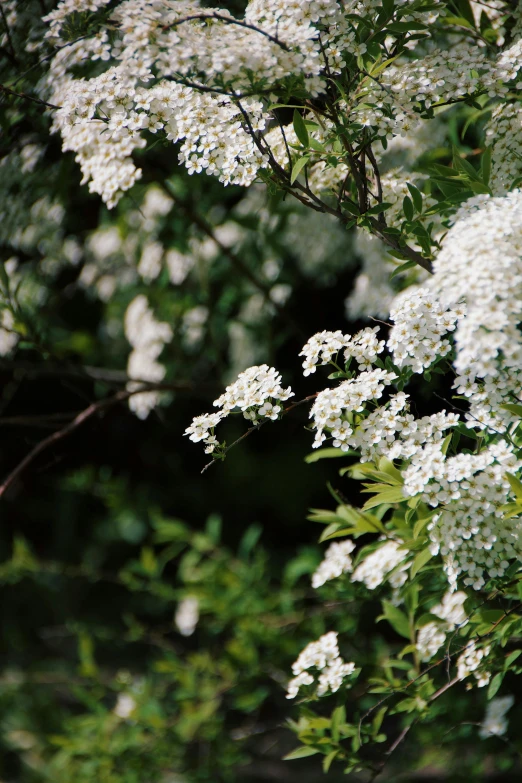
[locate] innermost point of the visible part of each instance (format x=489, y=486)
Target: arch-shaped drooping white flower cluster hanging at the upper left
x=101, y=119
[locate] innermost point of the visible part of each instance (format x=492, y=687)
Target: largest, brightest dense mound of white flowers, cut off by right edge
x=481, y=264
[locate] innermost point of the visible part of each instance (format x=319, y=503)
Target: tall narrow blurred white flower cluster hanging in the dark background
x=148, y=338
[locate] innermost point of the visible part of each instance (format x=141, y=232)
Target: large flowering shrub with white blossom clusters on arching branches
x=323, y=101
